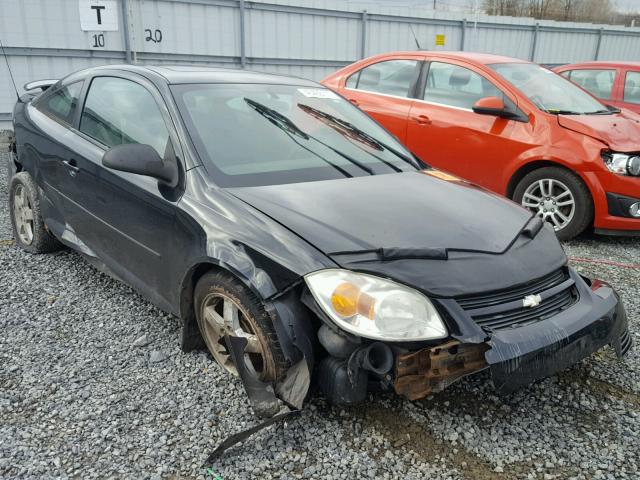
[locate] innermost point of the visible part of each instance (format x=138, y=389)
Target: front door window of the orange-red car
x=456, y=86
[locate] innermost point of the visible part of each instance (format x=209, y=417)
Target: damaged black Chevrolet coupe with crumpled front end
x=295, y=238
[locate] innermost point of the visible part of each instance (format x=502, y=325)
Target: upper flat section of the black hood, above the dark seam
x=408, y=210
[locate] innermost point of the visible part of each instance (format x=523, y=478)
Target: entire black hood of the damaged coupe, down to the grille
x=414, y=211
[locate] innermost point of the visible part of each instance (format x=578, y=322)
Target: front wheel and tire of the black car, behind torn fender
x=226, y=307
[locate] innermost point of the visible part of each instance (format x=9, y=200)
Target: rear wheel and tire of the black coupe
x=29, y=229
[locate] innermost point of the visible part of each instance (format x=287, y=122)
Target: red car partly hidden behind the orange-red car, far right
x=615, y=83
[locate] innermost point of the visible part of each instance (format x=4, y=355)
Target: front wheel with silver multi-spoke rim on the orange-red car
x=559, y=197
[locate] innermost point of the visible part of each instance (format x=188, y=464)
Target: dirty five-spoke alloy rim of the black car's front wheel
x=223, y=316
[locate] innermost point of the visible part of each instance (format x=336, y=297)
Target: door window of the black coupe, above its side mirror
x=119, y=111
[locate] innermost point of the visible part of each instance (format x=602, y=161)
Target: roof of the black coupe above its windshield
x=180, y=74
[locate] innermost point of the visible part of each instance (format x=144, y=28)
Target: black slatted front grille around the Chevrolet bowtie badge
x=505, y=309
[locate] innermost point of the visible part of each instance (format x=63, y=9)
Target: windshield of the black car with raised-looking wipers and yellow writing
x=257, y=134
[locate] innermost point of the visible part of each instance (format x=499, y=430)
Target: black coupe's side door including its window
x=130, y=218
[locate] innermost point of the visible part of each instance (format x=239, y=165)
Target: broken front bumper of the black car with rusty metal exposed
x=515, y=357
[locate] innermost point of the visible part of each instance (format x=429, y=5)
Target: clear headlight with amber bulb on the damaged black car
x=373, y=307
